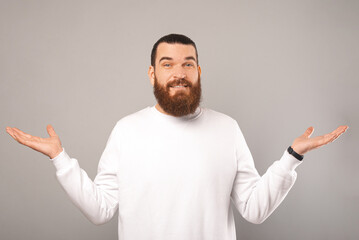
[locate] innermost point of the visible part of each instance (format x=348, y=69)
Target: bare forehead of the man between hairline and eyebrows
x=176, y=51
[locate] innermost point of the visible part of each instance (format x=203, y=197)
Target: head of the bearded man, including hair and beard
x=175, y=75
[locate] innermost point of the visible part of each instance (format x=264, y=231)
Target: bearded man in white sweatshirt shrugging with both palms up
x=172, y=169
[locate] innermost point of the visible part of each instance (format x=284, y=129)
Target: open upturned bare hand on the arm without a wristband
x=51, y=146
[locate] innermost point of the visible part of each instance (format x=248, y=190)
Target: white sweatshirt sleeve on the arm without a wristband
x=98, y=199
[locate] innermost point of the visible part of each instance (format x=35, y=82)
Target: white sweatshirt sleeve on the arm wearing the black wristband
x=257, y=197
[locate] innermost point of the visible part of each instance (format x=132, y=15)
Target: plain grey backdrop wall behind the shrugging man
x=277, y=67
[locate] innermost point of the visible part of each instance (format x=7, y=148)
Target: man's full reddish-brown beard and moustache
x=181, y=103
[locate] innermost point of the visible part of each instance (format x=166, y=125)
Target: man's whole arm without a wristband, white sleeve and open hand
x=97, y=199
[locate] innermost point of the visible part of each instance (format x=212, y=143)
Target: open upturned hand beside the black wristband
x=304, y=144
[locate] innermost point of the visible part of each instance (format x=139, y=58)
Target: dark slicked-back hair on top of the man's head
x=172, y=38
